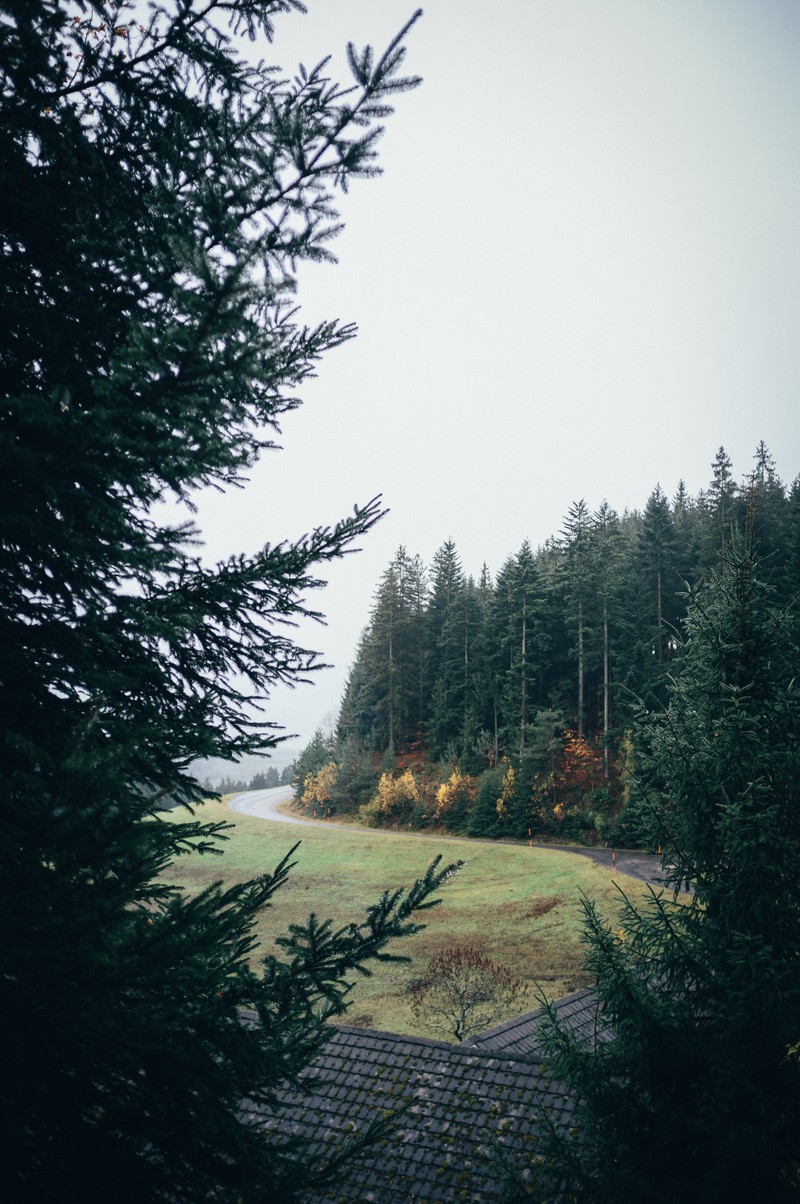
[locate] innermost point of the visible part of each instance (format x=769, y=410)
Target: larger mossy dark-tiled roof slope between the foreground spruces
x=458, y=1108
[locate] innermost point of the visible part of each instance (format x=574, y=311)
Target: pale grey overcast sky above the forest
x=578, y=278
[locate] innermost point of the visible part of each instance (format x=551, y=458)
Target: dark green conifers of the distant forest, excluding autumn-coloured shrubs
x=586, y=627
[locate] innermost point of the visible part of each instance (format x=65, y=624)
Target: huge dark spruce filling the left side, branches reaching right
x=157, y=193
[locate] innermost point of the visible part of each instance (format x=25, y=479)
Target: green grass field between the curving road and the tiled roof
x=521, y=906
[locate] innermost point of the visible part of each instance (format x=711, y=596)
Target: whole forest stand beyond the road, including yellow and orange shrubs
x=503, y=706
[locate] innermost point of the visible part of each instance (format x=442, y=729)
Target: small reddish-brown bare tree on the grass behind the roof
x=464, y=993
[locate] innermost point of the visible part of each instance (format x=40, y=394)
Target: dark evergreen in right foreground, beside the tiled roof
x=691, y=1095
